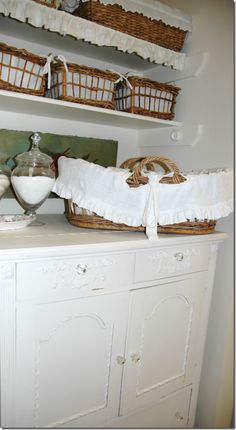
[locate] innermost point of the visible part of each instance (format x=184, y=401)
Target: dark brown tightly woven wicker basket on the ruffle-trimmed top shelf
x=132, y=23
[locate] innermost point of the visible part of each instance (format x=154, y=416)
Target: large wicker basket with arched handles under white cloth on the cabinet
x=137, y=165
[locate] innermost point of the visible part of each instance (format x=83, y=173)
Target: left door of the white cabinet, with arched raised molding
x=67, y=366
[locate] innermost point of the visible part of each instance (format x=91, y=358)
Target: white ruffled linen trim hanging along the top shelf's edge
x=63, y=23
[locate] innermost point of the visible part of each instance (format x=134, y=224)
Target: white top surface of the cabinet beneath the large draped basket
x=58, y=236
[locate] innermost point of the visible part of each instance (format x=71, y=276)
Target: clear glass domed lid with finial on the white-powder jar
x=34, y=155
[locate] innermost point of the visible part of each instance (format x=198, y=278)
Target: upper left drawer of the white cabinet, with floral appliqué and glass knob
x=73, y=277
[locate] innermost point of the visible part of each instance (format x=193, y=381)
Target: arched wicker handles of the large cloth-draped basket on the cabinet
x=138, y=164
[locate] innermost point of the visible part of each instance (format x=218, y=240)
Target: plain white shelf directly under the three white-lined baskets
x=40, y=106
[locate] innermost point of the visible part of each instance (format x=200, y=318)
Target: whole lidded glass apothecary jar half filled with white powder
x=33, y=178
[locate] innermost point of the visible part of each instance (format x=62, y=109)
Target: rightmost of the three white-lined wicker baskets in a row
x=146, y=97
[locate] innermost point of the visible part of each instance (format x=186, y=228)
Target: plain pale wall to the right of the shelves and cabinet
x=208, y=100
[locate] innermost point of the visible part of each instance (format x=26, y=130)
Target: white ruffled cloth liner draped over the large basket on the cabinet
x=204, y=195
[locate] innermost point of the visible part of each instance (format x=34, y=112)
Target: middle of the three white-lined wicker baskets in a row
x=82, y=84
